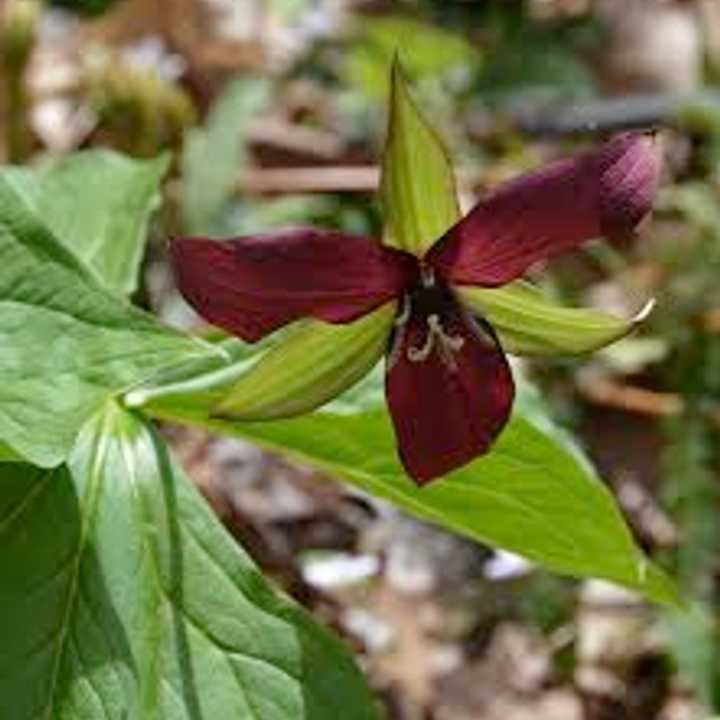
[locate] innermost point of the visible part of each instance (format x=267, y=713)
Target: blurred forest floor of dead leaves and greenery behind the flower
x=272, y=112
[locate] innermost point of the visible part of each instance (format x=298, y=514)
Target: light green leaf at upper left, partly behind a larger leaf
x=98, y=204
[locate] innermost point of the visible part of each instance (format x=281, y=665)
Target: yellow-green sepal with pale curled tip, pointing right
x=530, y=324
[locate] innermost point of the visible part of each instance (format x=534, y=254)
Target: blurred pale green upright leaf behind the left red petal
x=213, y=156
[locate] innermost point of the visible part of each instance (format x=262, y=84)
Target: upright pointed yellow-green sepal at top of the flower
x=417, y=187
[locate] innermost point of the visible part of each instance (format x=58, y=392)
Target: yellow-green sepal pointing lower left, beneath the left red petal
x=313, y=363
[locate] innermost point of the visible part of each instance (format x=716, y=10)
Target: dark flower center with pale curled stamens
x=429, y=302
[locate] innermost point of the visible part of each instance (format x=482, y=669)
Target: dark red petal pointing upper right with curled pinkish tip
x=605, y=192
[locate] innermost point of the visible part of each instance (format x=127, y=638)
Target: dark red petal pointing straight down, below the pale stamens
x=446, y=410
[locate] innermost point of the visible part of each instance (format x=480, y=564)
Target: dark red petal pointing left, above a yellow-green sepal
x=252, y=285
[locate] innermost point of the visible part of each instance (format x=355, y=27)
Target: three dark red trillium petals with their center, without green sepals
x=448, y=384
